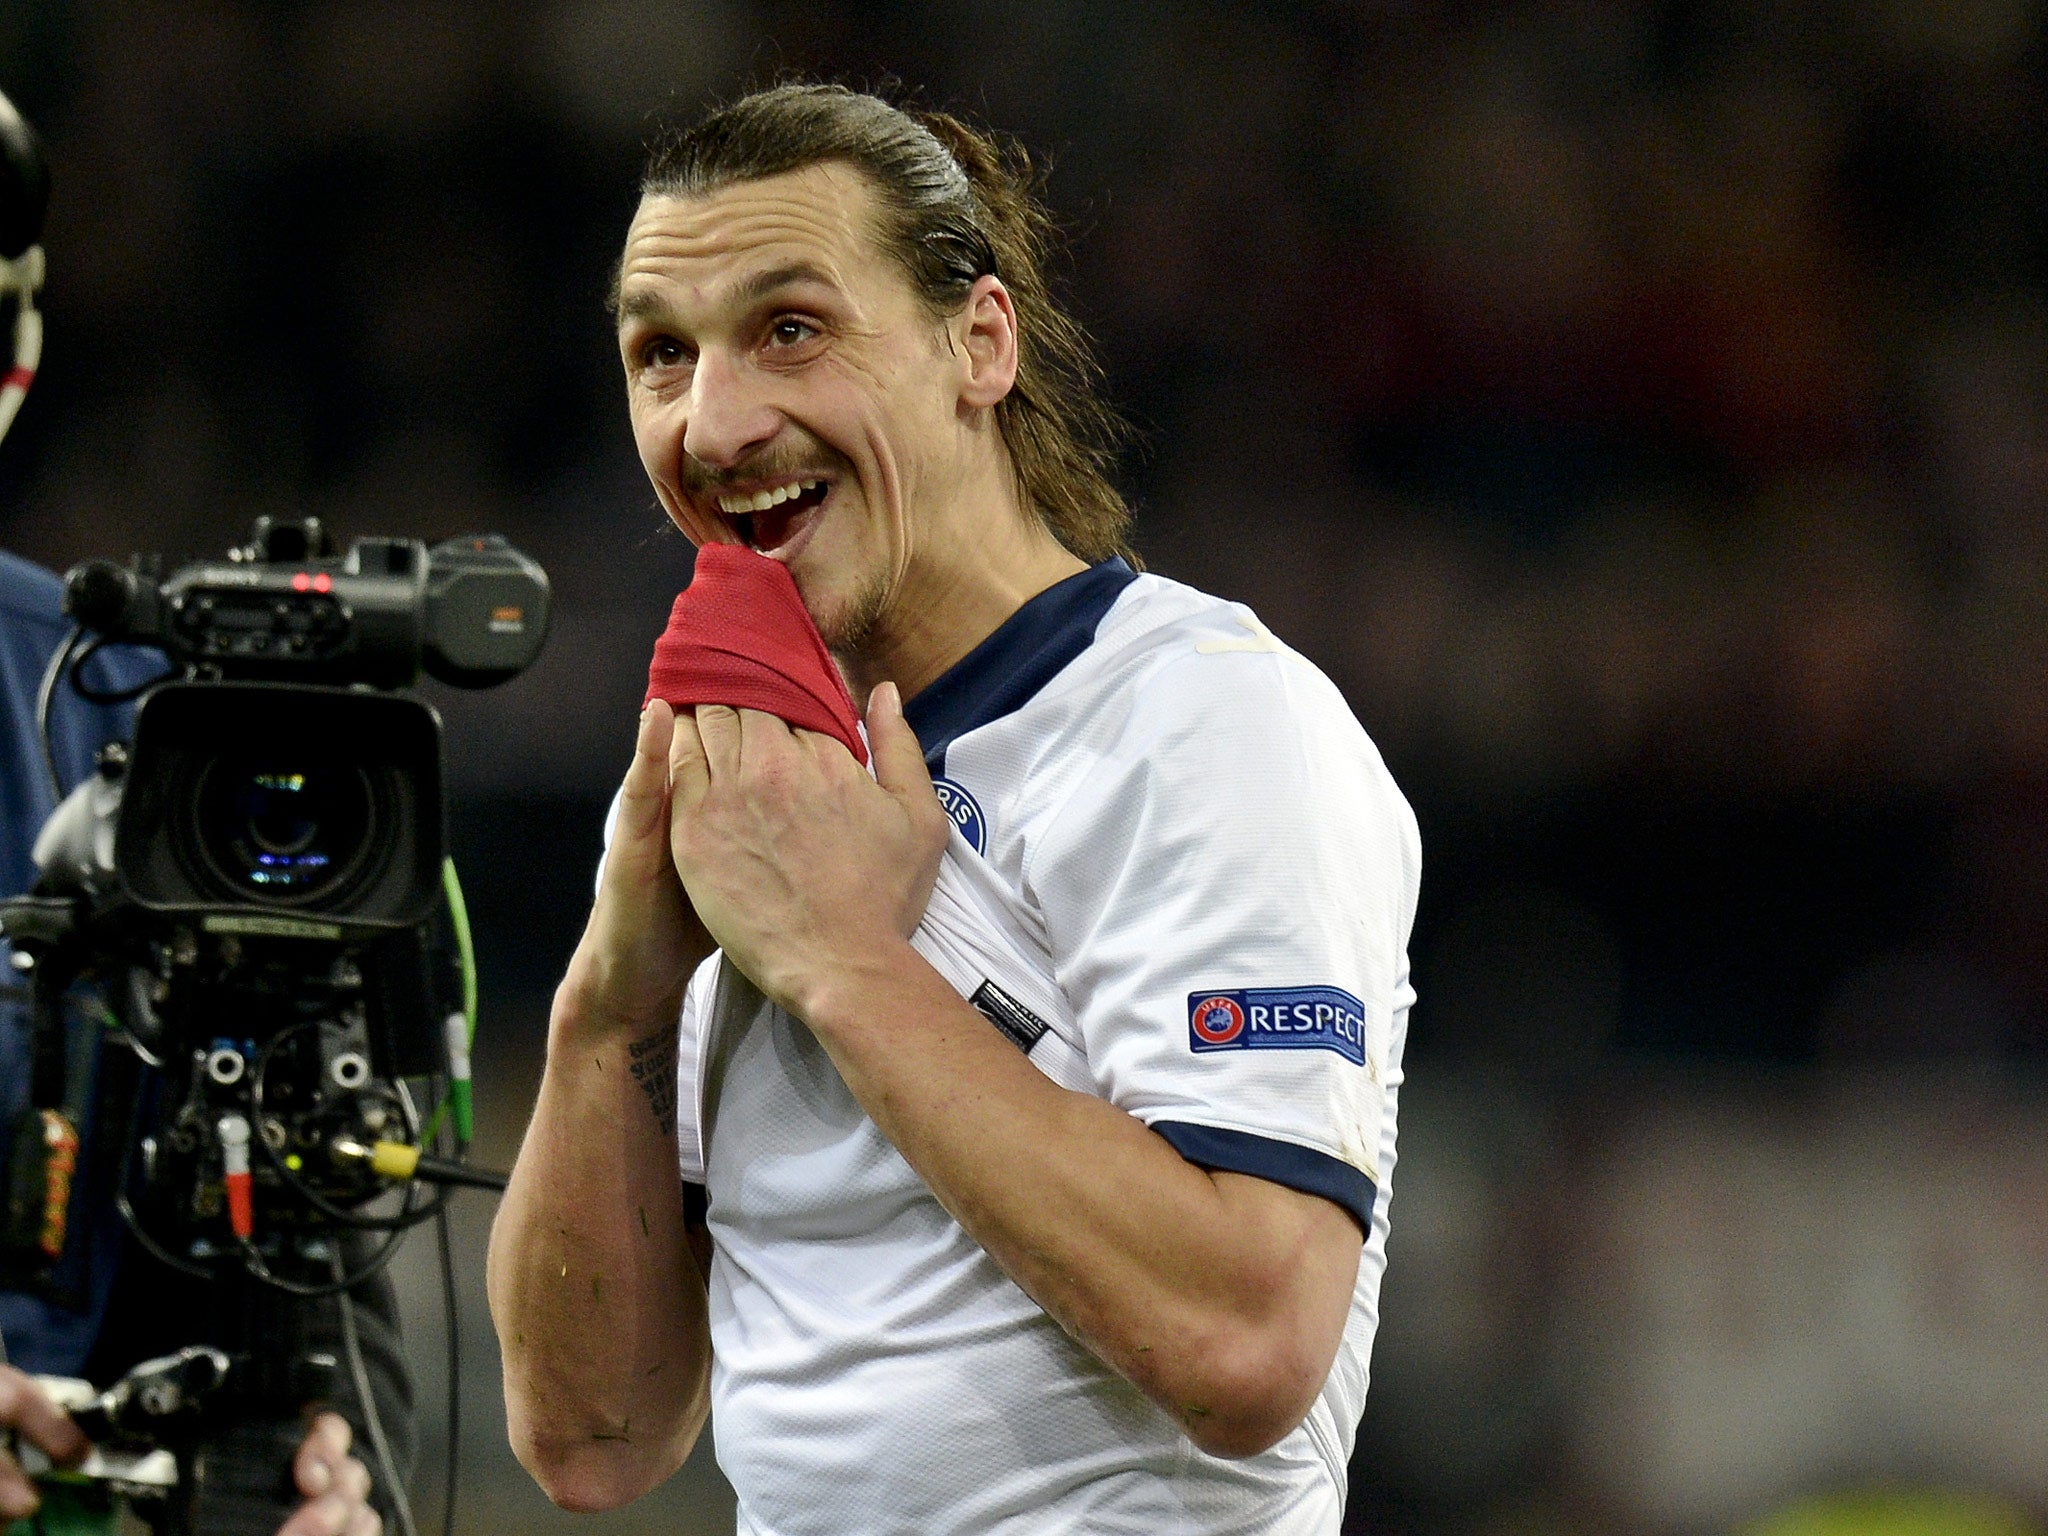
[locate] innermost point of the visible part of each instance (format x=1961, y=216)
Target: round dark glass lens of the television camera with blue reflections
x=284, y=835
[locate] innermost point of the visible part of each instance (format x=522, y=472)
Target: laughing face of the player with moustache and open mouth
x=790, y=392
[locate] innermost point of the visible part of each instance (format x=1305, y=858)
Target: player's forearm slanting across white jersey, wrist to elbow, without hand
x=1220, y=1295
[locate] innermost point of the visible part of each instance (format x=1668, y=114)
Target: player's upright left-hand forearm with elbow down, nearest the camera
x=599, y=1306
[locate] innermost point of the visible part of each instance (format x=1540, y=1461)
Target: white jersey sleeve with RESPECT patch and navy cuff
x=1228, y=896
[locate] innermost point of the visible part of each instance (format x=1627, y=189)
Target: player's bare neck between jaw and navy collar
x=957, y=593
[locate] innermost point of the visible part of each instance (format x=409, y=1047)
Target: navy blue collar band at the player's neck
x=1025, y=654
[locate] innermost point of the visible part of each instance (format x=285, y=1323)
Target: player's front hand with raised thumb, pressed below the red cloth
x=800, y=863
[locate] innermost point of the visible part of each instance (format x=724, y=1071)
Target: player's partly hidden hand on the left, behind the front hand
x=644, y=941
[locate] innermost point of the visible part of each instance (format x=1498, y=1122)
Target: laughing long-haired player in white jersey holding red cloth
x=1072, y=1224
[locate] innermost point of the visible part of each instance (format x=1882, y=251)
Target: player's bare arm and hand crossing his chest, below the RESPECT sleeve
x=1222, y=1297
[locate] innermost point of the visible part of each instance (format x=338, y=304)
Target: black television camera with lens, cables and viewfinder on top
x=247, y=894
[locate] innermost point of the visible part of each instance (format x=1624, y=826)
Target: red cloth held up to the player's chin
x=740, y=636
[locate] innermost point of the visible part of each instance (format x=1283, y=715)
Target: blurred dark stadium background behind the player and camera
x=1637, y=407
